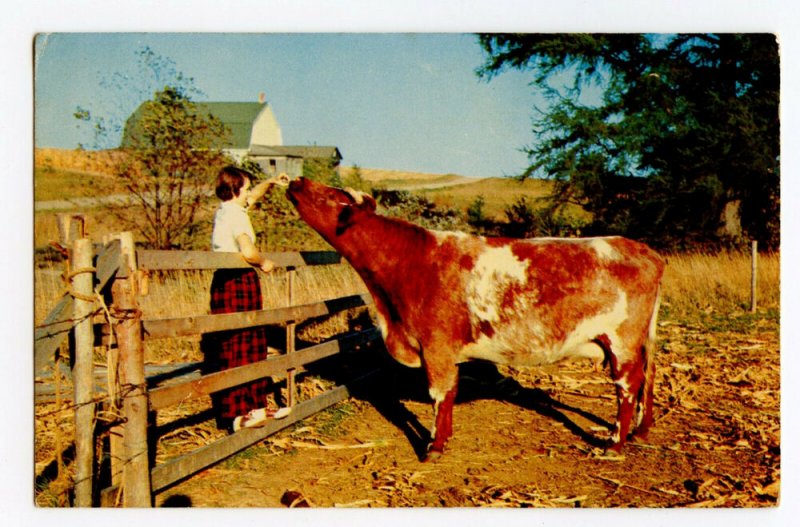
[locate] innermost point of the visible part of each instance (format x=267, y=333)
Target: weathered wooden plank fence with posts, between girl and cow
x=113, y=279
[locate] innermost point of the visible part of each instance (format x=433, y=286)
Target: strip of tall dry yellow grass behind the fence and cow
x=695, y=285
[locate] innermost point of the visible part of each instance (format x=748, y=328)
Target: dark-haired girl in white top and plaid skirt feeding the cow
x=235, y=290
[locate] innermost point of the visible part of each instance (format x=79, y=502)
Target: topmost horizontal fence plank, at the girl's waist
x=197, y=260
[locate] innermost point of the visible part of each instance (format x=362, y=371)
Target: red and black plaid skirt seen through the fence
x=235, y=290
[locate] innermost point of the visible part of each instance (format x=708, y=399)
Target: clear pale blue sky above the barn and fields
x=405, y=101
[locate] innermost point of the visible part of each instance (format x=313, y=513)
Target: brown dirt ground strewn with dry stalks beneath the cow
x=532, y=438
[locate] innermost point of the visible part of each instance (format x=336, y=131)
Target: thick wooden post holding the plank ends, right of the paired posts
x=136, y=468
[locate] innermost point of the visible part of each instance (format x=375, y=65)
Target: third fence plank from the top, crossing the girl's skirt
x=275, y=367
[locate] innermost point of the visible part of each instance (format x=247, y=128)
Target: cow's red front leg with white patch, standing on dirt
x=443, y=385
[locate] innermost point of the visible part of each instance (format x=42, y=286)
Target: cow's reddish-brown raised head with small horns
x=328, y=210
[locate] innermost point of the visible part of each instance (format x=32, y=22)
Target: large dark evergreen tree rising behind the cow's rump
x=682, y=128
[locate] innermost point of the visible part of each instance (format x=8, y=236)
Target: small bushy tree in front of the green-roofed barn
x=171, y=153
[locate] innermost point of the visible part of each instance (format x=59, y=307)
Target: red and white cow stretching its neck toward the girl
x=444, y=298
